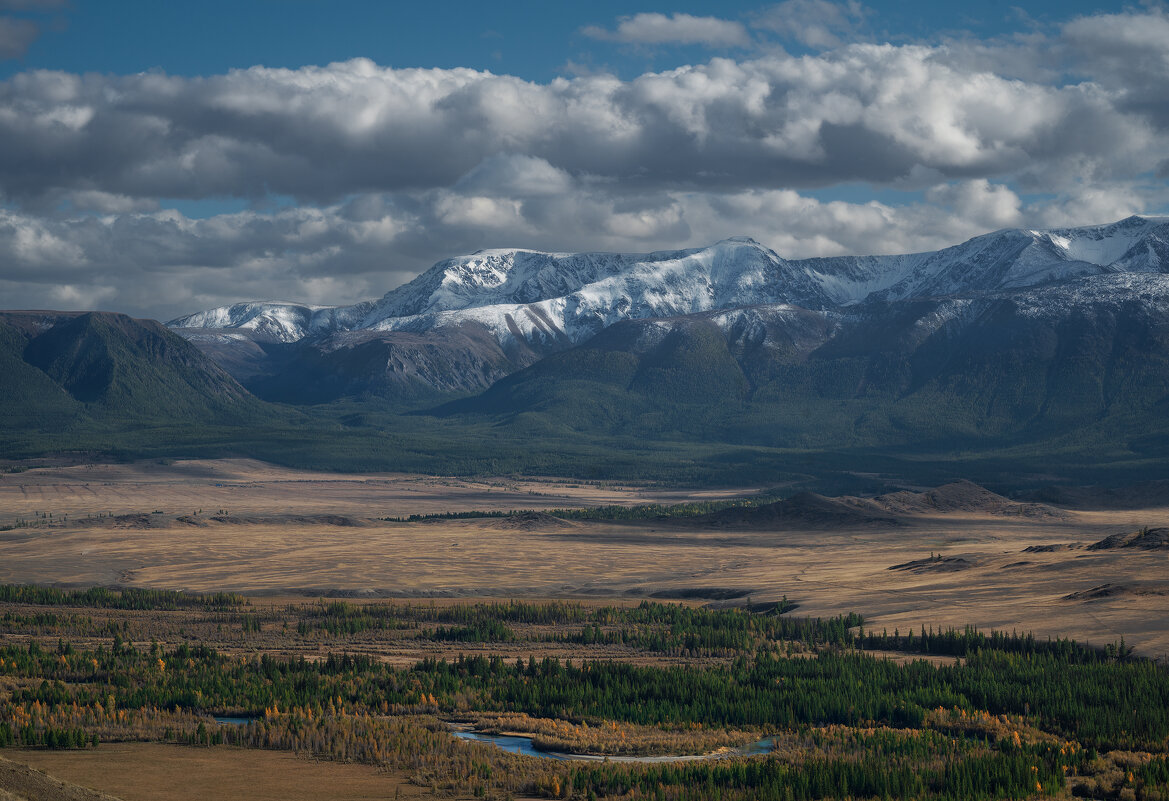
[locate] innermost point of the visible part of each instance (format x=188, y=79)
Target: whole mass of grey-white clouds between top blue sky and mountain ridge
x=396, y=169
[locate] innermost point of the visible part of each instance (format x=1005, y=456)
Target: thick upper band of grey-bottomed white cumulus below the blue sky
x=864, y=113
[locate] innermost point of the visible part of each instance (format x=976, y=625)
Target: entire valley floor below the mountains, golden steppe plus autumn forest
x=400, y=645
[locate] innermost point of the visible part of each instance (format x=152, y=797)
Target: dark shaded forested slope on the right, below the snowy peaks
x=942, y=374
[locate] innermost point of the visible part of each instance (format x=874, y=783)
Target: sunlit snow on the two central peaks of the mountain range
x=543, y=296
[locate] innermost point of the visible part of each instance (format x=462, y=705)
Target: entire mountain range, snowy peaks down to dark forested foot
x=1019, y=349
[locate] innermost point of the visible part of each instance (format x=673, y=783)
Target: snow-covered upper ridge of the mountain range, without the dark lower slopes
x=550, y=298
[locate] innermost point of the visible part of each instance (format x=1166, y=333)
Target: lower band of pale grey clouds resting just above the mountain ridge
x=165, y=265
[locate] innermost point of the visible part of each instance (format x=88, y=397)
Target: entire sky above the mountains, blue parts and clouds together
x=162, y=158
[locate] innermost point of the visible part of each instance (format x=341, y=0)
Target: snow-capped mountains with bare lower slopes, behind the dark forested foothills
x=471, y=321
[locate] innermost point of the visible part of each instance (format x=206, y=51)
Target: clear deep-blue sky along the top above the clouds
x=534, y=40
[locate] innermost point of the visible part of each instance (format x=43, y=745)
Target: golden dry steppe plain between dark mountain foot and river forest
x=268, y=533
